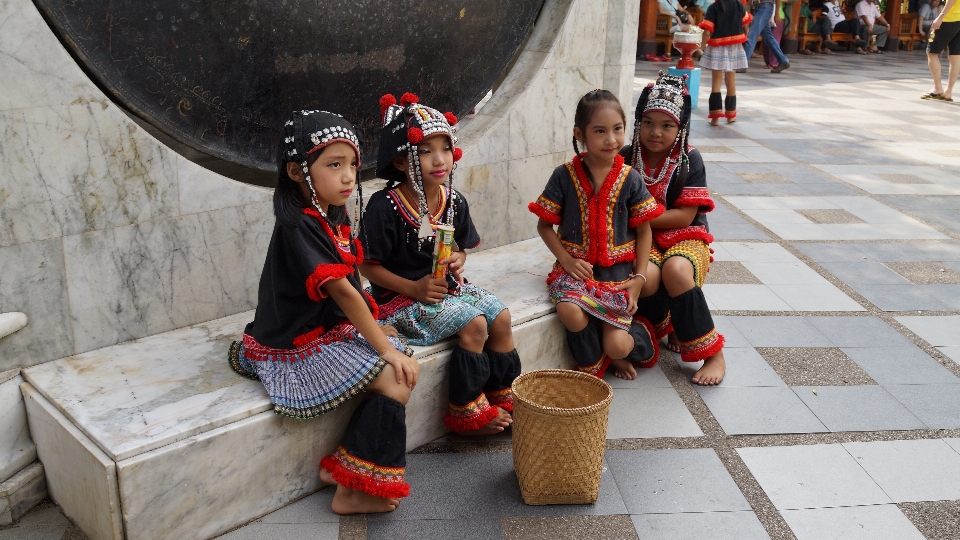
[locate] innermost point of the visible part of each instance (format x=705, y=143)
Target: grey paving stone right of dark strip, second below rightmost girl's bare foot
x=759, y=410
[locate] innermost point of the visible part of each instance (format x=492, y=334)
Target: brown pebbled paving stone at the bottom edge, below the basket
x=569, y=528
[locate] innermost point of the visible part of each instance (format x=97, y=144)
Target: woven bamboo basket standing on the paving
x=559, y=435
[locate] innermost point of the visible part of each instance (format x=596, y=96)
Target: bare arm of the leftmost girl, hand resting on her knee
x=354, y=307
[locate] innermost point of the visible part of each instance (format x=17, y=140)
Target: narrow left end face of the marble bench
x=81, y=479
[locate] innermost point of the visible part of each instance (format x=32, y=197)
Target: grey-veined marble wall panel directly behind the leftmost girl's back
x=130, y=282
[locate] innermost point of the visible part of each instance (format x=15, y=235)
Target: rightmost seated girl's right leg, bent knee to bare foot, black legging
x=684, y=268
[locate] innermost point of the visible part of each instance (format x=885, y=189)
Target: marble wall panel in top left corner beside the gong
x=37, y=70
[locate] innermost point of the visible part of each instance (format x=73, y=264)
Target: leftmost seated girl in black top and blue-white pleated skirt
x=314, y=342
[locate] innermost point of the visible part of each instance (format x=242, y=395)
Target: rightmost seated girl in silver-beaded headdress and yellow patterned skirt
x=673, y=171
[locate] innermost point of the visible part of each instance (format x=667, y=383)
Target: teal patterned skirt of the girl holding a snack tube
x=426, y=324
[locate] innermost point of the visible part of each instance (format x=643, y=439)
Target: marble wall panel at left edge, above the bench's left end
x=34, y=281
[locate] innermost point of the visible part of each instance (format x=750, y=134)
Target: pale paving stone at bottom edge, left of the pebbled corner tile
x=880, y=522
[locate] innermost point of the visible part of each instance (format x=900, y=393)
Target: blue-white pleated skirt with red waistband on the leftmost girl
x=316, y=378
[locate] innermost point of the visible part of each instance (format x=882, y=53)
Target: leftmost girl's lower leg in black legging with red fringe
x=369, y=465
